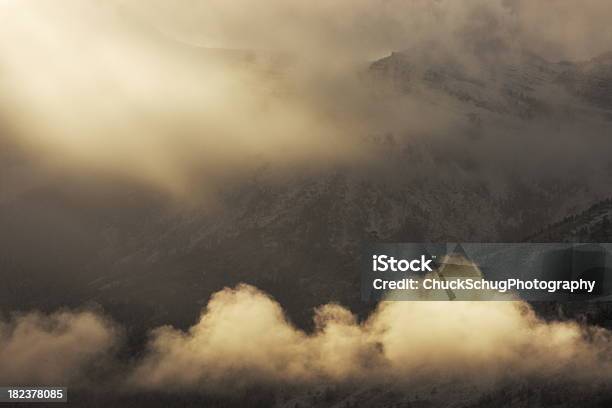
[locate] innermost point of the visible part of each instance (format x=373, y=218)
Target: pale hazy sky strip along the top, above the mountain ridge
x=370, y=28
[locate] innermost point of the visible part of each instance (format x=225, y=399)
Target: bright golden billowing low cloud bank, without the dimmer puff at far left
x=243, y=339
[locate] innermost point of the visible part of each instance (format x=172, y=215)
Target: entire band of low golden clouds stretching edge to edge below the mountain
x=243, y=339
